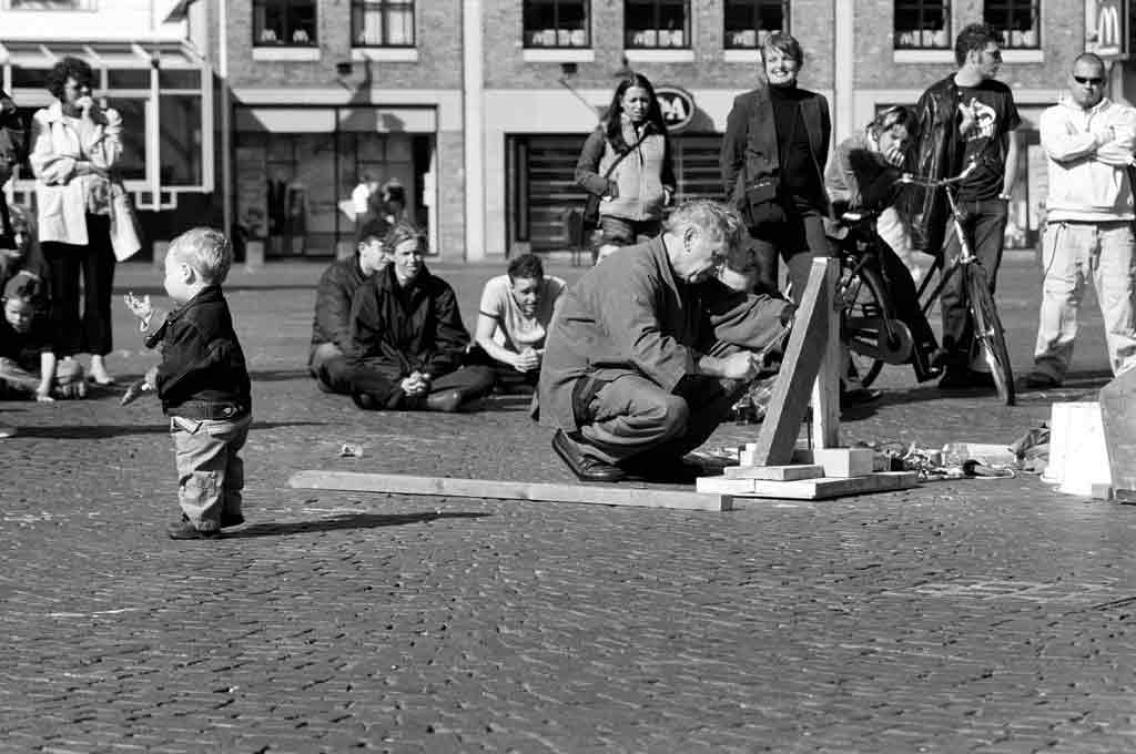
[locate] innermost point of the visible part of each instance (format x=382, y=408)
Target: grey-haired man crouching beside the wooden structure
x=649, y=350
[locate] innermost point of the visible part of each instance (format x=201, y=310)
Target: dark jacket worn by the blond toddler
x=203, y=374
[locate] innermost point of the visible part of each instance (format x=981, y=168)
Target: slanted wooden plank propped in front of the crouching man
x=793, y=390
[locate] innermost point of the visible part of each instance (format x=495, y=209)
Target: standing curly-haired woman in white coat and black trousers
x=76, y=144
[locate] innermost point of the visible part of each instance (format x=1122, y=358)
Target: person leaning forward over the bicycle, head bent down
x=863, y=175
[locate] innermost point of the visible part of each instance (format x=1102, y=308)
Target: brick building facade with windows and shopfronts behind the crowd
x=480, y=107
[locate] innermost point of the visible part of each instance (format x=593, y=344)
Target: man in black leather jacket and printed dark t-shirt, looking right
x=967, y=116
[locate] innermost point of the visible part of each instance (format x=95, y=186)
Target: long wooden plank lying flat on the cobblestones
x=499, y=490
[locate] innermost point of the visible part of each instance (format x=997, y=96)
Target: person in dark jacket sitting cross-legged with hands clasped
x=407, y=337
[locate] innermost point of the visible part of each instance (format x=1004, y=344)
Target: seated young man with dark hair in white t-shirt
x=513, y=321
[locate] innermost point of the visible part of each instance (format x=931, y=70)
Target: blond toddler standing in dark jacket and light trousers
x=203, y=383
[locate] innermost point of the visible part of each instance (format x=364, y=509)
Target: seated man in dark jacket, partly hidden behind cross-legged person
x=331, y=330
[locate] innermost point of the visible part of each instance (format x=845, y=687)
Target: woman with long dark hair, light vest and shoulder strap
x=628, y=163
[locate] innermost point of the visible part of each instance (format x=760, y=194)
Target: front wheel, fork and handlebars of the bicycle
x=990, y=336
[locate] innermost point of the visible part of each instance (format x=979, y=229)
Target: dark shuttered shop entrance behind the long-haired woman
x=542, y=183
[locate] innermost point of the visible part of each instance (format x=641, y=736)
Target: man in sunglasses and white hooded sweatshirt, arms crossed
x=1089, y=140
